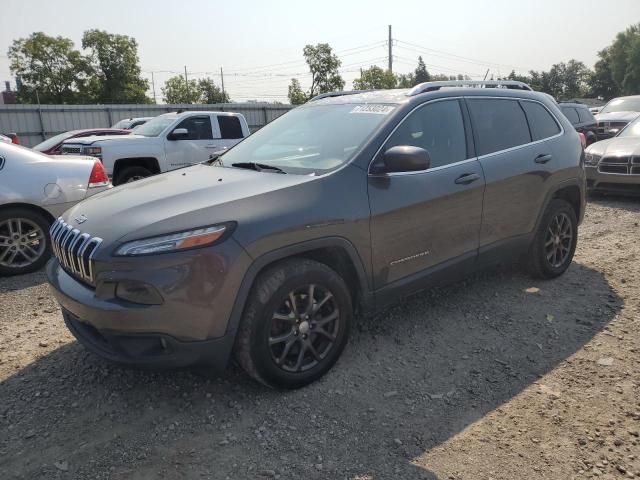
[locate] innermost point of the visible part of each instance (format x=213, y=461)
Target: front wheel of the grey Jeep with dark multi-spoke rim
x=271, y=338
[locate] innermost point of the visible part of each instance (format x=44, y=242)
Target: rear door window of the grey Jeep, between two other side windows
x=499, y=124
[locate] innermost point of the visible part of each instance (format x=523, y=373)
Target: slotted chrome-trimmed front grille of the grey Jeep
x=74, y=250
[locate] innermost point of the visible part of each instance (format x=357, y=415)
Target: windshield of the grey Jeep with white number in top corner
x=310, y=139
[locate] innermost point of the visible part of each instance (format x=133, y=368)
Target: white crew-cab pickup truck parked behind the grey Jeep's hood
x=167, y=142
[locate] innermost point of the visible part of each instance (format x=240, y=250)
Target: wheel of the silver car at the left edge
x=25, y=245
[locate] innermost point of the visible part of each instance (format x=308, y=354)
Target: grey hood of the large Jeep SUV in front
x=180, y=200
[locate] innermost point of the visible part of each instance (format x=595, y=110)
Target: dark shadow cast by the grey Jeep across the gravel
x=411, y=378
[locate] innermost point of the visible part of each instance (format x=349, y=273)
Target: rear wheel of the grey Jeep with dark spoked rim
x=555, y=241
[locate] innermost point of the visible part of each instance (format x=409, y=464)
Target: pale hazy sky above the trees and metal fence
x=258, y=44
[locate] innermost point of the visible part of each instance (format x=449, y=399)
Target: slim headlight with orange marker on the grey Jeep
x=173, y=242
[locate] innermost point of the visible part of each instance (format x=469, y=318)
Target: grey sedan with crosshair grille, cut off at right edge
x=613, y=165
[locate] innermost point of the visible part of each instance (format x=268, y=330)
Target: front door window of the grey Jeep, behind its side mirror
x=437, y=127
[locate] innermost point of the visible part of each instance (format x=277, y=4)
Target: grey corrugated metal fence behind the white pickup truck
x=35, y=123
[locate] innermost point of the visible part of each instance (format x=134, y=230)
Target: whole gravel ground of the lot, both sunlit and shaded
x=479, y=380
